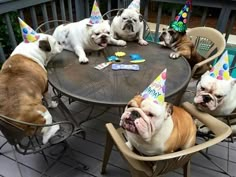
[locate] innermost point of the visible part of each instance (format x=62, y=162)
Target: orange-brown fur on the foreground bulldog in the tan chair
x=184, y=132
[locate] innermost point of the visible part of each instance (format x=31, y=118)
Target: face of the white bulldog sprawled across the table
x=100, y=33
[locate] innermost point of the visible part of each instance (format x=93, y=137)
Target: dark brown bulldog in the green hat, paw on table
x=183, y=46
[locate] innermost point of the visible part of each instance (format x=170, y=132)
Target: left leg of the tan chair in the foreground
x=107, y=152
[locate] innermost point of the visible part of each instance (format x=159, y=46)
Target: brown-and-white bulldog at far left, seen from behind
x=24, y=82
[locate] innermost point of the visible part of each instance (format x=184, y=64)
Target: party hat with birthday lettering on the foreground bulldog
x=156, y=90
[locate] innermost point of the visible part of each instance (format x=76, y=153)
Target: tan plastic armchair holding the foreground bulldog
x=143, y=166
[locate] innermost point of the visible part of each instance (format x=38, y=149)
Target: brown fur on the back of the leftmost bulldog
x=23, y=82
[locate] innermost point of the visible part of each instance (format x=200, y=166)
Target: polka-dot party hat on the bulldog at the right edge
x=221, y=69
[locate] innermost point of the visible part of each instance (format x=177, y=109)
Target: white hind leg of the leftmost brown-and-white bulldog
x=48, y=132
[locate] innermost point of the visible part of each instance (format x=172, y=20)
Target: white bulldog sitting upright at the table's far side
x=128, y=25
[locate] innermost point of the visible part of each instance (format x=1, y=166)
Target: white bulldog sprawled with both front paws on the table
x=83, y=36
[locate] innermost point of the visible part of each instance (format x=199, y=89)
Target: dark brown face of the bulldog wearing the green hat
x=169, y=36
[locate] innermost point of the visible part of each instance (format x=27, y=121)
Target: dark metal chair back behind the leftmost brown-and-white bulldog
x=28, y=143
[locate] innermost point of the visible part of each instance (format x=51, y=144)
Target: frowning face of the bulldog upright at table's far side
x=130, y=20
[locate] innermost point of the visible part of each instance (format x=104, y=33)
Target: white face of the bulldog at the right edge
x=212, y=93
